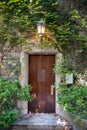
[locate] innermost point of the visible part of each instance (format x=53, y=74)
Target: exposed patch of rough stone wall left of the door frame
x=10, y=68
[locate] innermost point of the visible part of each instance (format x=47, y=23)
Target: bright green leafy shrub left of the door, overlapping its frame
x=10, y=91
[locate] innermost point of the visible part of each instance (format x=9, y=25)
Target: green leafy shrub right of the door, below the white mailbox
x=74, y=100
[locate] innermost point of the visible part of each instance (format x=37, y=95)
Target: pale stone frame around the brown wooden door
x=24, y=60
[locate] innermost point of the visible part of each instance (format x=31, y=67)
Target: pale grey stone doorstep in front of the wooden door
x=45, y=121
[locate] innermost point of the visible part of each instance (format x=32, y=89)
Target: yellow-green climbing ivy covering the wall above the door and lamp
x=19, y=19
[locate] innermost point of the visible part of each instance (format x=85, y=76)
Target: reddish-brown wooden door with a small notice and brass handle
x=41, y=77
